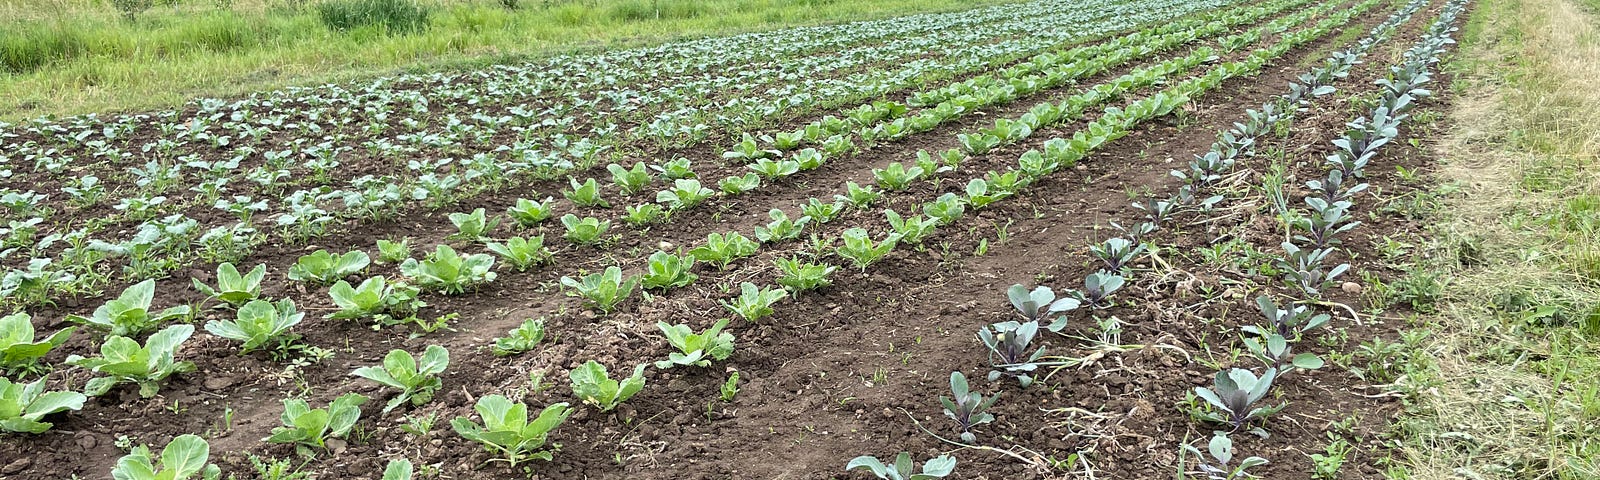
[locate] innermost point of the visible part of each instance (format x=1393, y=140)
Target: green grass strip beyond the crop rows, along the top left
x=62, y=58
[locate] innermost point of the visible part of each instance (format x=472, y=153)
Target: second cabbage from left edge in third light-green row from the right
x=124, y=361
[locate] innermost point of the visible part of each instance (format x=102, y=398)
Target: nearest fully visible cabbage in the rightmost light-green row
x=508, y=431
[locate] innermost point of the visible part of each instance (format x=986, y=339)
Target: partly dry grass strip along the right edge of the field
x=1510, y=385
